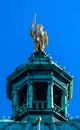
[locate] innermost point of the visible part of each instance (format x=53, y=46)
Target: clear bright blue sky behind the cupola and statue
x=61, y=20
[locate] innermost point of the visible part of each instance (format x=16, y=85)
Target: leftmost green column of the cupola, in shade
x=15, y=102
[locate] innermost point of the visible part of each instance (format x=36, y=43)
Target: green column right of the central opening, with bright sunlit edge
x=50, y=95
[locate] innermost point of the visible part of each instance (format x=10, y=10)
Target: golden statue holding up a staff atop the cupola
x=39, y=36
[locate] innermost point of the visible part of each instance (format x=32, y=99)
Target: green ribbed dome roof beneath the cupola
x=11, y=125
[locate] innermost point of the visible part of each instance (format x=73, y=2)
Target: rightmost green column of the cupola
x=64, y=102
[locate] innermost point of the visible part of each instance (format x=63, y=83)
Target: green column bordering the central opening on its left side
x=30, y=95
